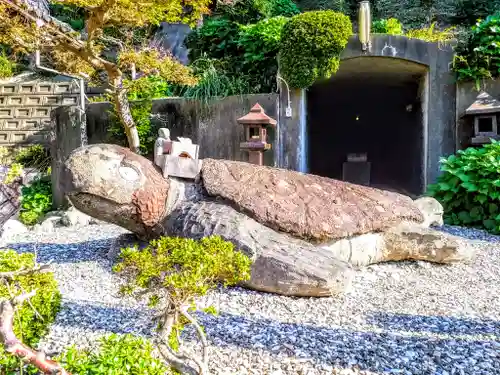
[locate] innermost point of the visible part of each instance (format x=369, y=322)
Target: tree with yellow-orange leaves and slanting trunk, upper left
x=96, y=51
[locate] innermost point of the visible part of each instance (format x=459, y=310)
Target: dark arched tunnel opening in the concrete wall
x=367, y=124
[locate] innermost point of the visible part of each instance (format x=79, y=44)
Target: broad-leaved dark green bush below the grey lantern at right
x=469, y=187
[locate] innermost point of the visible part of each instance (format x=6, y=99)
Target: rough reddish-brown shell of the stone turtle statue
x=307, y=206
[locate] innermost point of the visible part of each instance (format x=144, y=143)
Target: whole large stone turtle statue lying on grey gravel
x=303, y=232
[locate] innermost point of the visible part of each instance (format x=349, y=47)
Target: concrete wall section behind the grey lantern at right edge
x=466, y=95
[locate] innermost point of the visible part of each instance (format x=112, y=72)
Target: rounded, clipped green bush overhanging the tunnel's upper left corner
x=311, y=44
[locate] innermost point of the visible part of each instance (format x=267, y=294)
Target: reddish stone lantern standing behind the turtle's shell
x=255, y=124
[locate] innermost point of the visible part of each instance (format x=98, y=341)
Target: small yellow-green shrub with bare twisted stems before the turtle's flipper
x=175, y=271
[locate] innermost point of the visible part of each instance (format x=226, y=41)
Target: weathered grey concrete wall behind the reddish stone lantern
x=213, y=127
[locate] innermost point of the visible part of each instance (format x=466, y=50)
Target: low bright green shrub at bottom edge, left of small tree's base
x=116, y=355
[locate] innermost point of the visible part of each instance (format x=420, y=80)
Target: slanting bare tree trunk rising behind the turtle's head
x=122, y=107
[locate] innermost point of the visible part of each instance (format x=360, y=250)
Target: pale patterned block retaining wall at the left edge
x=25, y=105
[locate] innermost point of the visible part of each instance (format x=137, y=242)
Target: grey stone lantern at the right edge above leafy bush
x=485, y=110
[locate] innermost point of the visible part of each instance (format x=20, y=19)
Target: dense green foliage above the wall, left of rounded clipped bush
x=244, y=39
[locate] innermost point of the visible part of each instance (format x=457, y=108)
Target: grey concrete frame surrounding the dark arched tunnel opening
x=441, y=89
